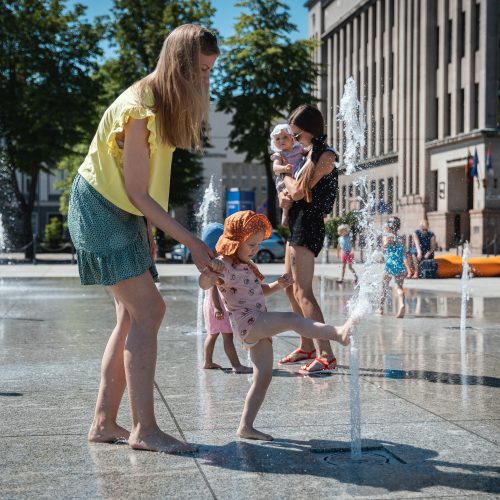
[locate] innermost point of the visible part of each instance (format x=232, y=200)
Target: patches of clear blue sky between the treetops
x=224, y=17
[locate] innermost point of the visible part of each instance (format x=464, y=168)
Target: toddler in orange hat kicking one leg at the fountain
x=243, y=291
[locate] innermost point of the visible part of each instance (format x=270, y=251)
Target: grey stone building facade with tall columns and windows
x=428, y=75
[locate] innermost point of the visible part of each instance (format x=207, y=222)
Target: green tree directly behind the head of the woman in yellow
x=138, y=29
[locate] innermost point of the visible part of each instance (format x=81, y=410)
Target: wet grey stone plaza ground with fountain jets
x=430, y=409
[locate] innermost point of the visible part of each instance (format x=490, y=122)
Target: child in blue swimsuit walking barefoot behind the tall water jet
x=394, y=255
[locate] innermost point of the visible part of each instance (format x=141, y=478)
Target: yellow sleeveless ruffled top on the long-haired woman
x=103, y=165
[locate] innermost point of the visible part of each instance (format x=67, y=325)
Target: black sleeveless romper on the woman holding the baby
x=307, y=227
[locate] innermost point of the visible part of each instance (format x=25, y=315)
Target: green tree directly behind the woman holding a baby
x=265, y=75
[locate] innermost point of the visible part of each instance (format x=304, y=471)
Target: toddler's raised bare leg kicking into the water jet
x=269, y=324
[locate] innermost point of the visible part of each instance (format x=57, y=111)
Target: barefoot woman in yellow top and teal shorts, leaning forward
x=123, y=182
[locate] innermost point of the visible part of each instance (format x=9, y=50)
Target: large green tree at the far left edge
x=47, y=58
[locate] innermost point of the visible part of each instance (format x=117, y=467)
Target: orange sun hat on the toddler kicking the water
x=238, y=227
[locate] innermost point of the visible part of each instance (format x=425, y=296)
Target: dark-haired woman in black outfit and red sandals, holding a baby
x=310, y=196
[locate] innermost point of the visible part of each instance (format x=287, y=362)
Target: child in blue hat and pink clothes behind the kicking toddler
x=216, y=316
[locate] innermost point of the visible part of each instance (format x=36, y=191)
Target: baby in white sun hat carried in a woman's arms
x=288, y=158
